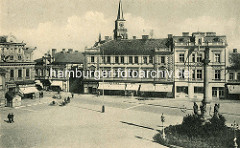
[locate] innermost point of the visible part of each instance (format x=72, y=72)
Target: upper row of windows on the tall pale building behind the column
x=199, y=57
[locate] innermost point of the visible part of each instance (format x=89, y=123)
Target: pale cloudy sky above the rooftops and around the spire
x=75, y=24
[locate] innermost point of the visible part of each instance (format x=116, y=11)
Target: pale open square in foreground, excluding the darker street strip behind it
x=76, y=125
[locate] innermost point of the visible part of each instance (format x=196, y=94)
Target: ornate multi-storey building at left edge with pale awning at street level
x=16, y=60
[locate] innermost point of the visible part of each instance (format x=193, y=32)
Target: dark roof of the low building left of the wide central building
x=74, y=57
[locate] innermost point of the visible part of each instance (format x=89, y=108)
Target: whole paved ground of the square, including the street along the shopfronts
x=127, y=122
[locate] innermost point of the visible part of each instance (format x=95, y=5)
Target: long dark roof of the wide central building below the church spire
x=132, y=47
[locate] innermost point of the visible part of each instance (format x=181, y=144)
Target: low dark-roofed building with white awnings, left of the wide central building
x=53, y=70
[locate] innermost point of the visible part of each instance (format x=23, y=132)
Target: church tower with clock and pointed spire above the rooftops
x=120, y=32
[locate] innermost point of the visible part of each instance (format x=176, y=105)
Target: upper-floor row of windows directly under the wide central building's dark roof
x=131, y=59
